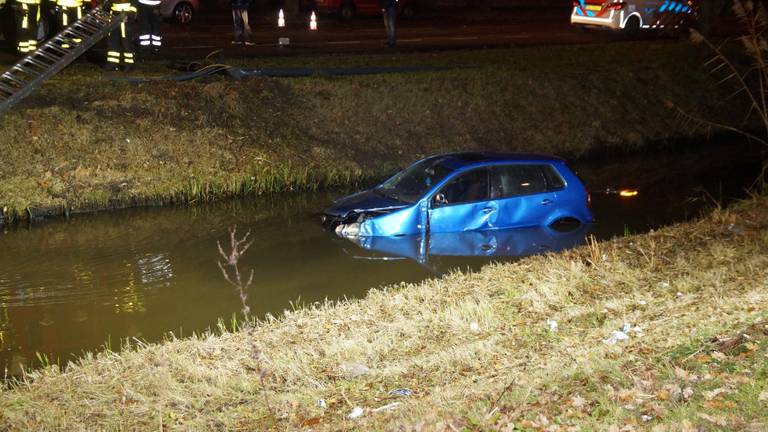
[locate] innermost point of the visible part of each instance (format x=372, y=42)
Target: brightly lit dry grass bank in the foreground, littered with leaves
x=474, y=351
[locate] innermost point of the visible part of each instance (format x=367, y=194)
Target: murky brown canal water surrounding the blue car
x=69, y=286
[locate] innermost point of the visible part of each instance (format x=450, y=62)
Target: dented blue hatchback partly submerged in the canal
x=459, y=192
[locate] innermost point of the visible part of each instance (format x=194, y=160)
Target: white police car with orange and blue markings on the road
x=633, y=15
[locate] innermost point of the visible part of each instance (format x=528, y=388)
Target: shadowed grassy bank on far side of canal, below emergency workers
x=83, y=141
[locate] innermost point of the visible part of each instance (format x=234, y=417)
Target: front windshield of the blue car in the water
x=410, y=184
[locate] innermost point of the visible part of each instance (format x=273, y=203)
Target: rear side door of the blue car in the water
x=522, y=194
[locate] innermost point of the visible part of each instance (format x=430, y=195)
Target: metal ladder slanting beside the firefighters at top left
x=54, y=55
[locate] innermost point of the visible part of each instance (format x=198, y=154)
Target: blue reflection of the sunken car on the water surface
x=513, y=242
